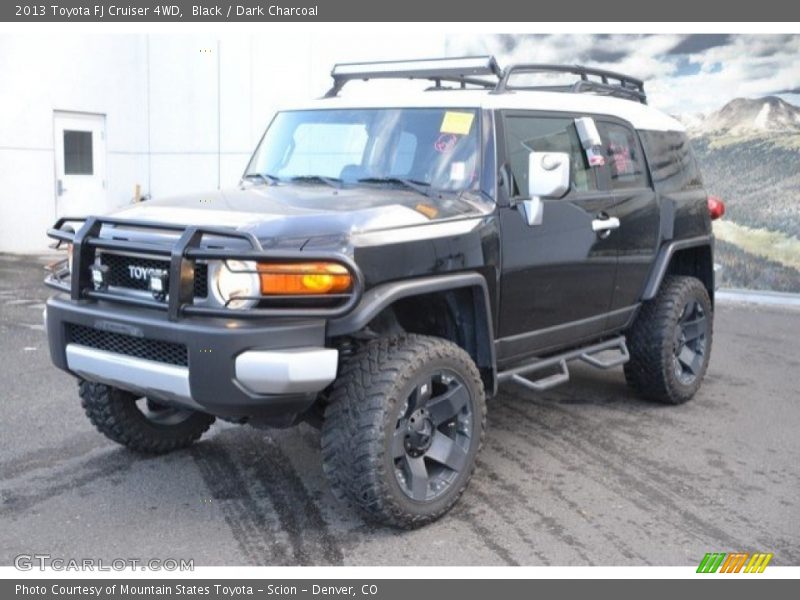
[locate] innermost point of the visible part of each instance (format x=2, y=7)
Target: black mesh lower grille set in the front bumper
x=119, y=343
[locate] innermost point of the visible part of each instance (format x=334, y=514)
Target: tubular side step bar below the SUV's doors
x=587, y=354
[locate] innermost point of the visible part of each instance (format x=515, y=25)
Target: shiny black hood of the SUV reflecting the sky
x=289, y=215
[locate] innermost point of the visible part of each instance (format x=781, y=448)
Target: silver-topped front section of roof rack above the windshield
x=465, y=71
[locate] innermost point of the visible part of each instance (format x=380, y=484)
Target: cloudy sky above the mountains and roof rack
x=683, y=73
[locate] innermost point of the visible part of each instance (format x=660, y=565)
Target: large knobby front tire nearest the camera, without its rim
x=365, y=403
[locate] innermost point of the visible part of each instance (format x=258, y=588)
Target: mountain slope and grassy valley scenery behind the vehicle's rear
x=749, y=153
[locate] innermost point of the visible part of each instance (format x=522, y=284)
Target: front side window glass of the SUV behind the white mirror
x=543, y=134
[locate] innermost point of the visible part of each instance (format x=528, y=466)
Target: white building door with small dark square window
x=80, y=152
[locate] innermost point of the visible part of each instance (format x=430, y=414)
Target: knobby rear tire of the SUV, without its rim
x=652, y=342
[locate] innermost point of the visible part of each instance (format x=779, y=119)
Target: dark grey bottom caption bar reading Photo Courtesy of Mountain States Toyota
x=390, y=589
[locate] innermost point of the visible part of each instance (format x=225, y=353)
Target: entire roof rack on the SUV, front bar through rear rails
x=473, y=70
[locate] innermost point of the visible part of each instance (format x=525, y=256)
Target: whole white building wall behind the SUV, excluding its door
x=183, y=112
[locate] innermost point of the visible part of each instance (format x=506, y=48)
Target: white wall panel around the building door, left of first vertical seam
x=99, y=74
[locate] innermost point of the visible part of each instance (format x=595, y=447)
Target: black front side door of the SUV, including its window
x=558, y=276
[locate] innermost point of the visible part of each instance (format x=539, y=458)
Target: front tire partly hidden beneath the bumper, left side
x=115, y=414
